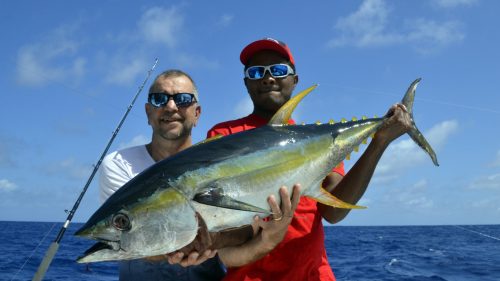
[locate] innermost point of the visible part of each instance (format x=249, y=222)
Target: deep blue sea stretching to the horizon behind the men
x=470, y=252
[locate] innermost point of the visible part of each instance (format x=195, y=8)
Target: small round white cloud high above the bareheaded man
x=163, y=26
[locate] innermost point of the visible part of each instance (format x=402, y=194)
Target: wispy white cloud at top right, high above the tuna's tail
x=368, y=27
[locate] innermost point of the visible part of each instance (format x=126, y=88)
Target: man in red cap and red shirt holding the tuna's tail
x=293, y=249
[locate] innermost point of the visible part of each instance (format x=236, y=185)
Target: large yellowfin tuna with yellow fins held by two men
x=226, y=181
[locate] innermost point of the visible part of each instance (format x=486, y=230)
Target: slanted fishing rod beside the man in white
x=51, y=252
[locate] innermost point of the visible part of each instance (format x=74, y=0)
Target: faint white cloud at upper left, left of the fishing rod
x=54, y=59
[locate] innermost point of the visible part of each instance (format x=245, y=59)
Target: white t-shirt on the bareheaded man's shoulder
x=120, y=166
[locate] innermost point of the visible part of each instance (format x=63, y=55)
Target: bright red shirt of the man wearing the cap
x=301, y=255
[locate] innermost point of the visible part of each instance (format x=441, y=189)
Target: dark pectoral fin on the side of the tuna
x=214, y=197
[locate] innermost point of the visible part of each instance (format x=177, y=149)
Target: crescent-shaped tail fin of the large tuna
x=414, y=132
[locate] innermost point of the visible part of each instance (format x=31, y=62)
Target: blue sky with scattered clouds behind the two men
x=70, y=69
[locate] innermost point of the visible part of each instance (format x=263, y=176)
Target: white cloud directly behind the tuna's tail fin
x=406, y=154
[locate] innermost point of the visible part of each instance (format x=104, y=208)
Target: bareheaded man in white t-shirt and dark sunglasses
x=172, y=110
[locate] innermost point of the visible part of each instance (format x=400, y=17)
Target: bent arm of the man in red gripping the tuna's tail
x=352, y=187
